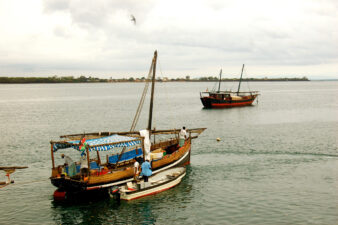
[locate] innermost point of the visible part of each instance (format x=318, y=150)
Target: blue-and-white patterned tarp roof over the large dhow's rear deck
x=100, y=144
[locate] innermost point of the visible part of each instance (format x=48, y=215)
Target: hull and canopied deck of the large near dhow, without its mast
x=110, y=157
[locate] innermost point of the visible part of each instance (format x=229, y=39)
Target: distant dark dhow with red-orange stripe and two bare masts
x=227, y=99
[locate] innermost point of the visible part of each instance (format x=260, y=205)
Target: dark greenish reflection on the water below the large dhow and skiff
x=104, y=210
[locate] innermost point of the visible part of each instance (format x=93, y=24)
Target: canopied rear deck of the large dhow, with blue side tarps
x=103, y=154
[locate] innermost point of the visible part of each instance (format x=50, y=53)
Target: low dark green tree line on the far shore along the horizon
x=84, y=79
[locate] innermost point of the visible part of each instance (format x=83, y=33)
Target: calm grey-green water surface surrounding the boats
x=276, y=163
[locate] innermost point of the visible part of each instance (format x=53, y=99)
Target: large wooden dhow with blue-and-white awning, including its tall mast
x=118, y=168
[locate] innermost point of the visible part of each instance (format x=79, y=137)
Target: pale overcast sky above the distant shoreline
x=274, y=38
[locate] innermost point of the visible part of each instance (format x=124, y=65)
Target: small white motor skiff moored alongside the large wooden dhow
x=157, y=183
